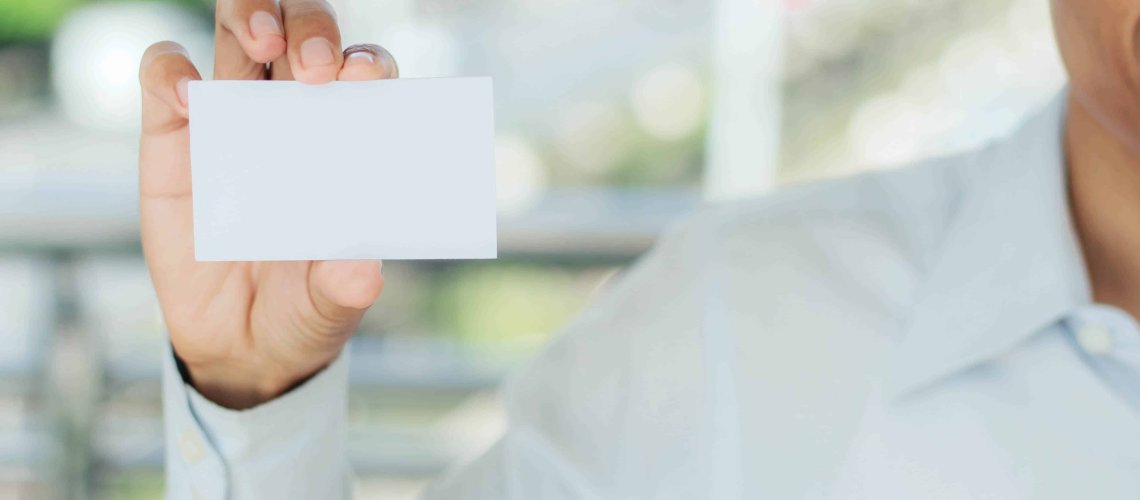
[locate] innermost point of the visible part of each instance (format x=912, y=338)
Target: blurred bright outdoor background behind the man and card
x=614, y=119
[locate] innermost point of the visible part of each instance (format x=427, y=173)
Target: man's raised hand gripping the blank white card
x=248, y=332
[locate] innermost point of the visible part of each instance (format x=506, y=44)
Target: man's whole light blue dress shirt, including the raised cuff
x=921, y=333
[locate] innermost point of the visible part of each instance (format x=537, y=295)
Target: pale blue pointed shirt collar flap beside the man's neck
x=1011, y=263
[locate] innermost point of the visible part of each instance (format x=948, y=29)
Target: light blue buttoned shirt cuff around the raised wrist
x=290, y=448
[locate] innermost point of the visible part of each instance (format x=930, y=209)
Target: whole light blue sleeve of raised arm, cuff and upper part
x=623, y=404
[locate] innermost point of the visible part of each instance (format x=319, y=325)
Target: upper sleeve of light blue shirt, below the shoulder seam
x=623, y=404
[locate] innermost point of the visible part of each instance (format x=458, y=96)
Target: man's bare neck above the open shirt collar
x=1105, y=199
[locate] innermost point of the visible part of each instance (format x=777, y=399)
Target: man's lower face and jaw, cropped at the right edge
x=1101, y=44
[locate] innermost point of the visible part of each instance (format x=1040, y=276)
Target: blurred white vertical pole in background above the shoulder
x=744, y=142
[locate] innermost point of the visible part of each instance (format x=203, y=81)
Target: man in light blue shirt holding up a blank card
x=963, y=329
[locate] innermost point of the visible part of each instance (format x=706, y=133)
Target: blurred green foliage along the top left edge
x=35, y=21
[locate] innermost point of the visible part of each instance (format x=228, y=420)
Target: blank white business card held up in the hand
x=392, y=169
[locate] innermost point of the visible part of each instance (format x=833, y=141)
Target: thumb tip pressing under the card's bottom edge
x=343, y=291
